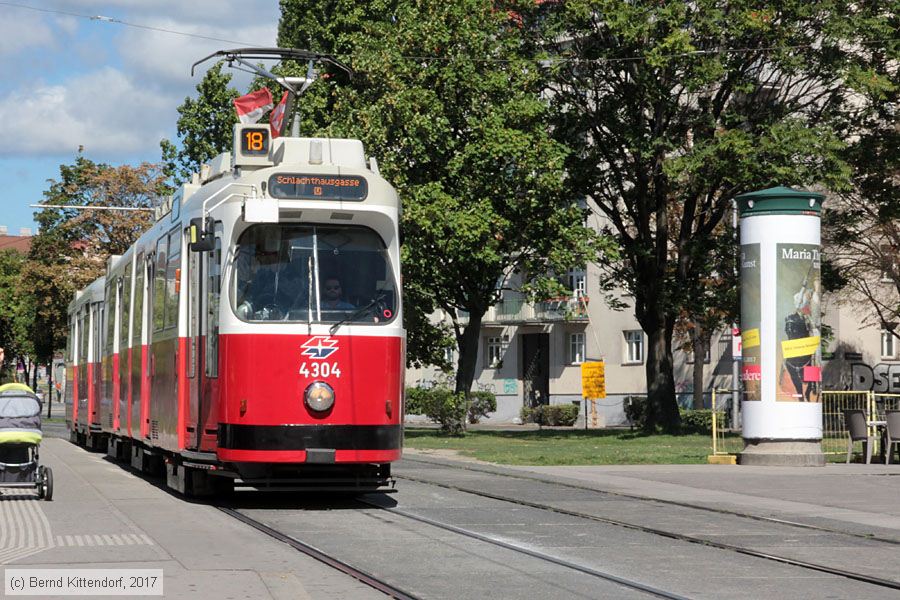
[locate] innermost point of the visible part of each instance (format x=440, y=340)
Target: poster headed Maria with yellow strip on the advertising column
x=798, y=323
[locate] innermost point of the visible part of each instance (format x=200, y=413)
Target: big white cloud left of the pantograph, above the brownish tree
x=103, y=111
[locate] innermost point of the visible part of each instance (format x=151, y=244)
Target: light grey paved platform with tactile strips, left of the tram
x=105, y=517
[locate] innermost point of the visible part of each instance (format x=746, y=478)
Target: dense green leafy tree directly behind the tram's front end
x=448, y=96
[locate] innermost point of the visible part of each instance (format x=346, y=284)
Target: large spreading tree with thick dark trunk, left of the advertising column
x=674, y=108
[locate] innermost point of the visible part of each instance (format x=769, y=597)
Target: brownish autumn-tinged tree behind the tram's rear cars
x=72, y=246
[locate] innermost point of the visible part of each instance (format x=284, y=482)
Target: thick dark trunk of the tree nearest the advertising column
x=662, y=408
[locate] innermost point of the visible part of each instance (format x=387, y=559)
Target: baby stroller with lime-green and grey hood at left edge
x=20, y=437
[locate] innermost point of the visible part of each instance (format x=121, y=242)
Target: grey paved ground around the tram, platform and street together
x=106, y=516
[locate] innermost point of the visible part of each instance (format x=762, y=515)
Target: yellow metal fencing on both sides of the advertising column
x=834, y=429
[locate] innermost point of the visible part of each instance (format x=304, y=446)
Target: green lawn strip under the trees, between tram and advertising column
x=568, y=447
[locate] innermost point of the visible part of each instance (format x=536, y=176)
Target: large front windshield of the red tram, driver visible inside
x=312, y=273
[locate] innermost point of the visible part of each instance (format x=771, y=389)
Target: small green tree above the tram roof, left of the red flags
x=204, y=126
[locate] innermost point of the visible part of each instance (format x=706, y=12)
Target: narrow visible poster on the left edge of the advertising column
x=751, y=367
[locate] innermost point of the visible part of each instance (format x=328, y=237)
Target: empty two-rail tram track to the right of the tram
x=861, y=577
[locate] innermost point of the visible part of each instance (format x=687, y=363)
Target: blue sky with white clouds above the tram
x=101, y=75
